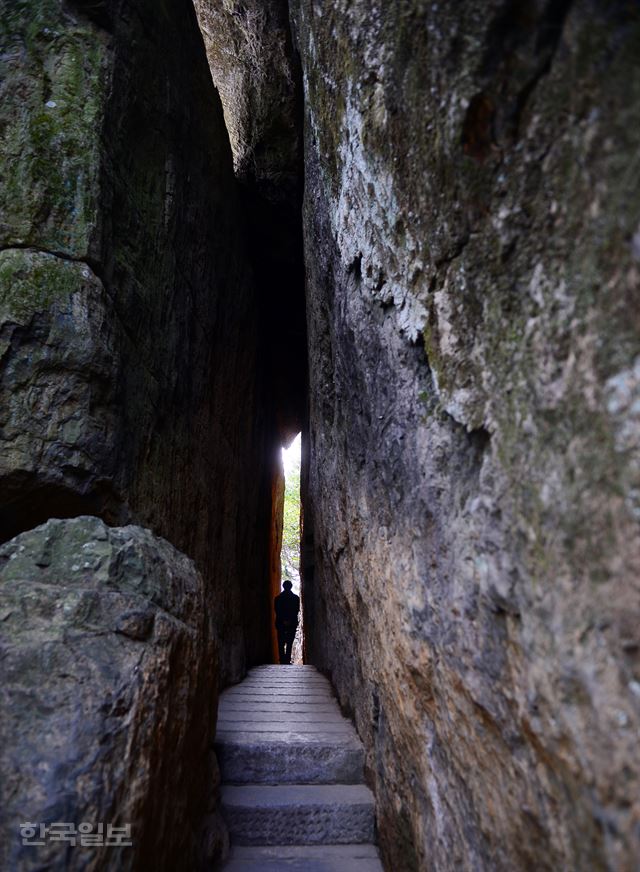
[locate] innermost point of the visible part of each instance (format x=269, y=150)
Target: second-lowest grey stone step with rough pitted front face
x=299, y=814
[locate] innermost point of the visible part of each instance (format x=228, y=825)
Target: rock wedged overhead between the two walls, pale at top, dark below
x=257, y=73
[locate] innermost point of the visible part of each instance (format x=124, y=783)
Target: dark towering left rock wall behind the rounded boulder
x=130, y=375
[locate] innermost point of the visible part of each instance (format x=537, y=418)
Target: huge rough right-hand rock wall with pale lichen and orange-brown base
x=471, y=506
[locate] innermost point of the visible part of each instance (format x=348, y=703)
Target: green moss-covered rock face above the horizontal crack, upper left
x=54, y=91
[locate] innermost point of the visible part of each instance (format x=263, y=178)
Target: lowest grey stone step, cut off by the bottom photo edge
x=304, y=858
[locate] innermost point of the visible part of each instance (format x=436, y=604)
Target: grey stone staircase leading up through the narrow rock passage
x=293, y=793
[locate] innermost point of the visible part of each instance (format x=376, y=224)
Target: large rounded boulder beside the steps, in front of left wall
x=109, y=674
